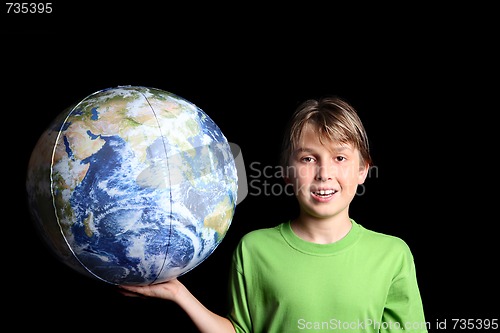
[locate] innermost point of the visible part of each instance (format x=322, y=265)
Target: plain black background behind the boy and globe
x=424, y=82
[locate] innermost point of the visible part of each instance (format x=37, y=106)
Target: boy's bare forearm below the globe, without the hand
x=204, y=319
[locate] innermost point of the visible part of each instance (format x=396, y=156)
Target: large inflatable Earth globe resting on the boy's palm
x=132, y=186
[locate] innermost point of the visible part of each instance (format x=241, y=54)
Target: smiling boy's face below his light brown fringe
x=325, y=176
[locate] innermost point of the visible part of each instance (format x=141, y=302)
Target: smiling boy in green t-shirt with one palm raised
x=321, y=271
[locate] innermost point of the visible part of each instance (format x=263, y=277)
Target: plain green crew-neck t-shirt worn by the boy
x=365, y=282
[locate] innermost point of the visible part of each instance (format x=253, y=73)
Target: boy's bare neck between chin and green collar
x=321, y=231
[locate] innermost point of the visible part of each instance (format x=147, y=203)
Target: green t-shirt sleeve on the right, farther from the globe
x=403, y=308
